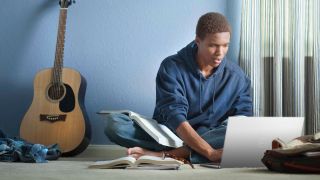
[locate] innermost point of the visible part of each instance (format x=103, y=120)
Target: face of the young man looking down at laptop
x=213, y=48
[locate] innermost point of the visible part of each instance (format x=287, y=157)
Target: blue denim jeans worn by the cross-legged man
x=121, y=130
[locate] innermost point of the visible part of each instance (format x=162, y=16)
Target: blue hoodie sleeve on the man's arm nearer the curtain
x=243, y=103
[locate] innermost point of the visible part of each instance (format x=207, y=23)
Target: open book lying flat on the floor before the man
x=144, y=162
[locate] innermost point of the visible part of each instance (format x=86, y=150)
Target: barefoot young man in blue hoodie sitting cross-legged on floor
x=197, y=90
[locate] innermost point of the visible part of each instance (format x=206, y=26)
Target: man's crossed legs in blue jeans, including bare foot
x=121, y=130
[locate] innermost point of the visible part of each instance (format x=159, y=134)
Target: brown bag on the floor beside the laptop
x=301, y=155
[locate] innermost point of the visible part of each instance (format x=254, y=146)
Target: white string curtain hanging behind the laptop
x=280, y=46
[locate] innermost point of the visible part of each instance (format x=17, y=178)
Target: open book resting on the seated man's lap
x=161, y=133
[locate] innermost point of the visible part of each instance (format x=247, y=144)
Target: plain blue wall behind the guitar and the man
x=117, y=45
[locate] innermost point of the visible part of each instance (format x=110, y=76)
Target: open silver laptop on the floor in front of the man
x=247, y=138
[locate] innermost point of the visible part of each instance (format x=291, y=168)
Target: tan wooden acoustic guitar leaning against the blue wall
x=57, y=113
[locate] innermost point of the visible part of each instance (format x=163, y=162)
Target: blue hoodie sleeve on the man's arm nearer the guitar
x=171, y=103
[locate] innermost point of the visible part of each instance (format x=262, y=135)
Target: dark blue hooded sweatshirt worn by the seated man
x=184, y=94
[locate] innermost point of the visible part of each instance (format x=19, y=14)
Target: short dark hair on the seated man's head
x=212, y=23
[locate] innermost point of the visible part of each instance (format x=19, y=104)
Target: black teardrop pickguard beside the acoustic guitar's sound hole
x=67, y=104
